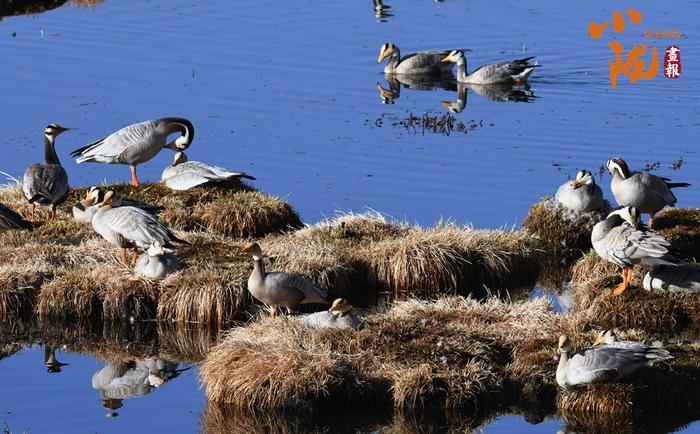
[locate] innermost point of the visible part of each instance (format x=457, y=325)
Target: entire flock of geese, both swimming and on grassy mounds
x=621, y=238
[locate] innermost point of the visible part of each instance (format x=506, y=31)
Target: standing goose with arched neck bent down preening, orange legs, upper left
x=137, y=143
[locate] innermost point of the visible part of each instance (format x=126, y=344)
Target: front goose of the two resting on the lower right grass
x=603, y=363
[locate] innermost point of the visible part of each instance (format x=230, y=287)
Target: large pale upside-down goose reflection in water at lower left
x=132, y=379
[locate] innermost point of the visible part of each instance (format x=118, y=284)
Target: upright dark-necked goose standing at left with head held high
x=47, y=184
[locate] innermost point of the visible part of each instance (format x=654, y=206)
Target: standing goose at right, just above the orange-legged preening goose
x=644, y=191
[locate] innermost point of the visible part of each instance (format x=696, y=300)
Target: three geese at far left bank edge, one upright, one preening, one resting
x=46, y=183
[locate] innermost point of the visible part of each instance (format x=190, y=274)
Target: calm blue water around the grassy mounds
x=288, y=92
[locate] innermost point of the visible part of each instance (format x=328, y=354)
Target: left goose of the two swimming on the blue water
x=422, y=63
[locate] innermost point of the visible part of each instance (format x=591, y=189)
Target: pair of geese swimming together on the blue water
x=440, y=63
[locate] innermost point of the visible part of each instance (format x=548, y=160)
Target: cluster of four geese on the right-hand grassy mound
x=621, y=238
